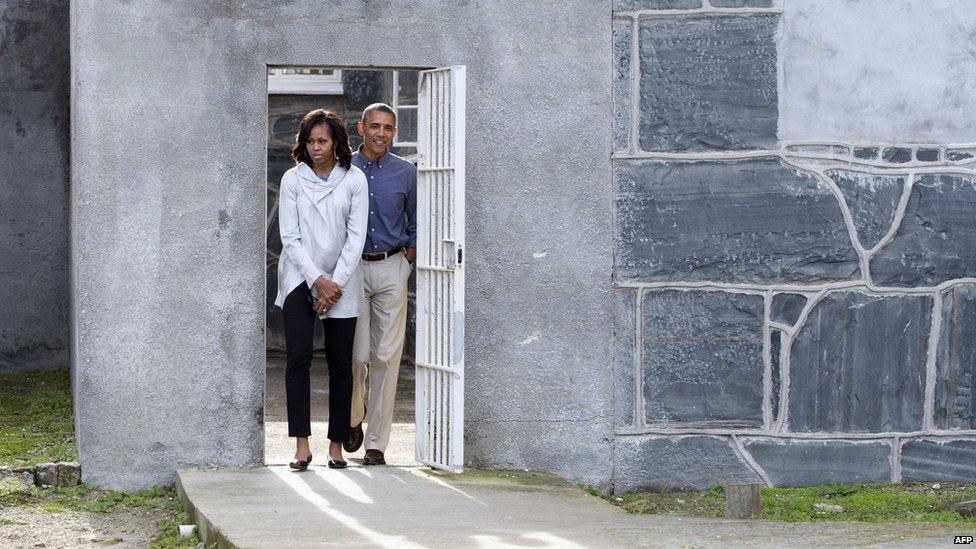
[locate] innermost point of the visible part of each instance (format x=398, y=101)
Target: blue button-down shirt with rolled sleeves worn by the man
x=392, y=202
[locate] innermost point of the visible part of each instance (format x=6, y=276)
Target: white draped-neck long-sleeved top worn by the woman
x=323, y=230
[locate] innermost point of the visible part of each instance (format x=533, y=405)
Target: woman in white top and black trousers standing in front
x=322, y=212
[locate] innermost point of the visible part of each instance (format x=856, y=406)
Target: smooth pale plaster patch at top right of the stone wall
x=888, y=70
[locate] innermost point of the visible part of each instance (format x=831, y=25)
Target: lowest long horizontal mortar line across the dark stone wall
x=681, y=432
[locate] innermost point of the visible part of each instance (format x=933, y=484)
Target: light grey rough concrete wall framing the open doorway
x=168, y=256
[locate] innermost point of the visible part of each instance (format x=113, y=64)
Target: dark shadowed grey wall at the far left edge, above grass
x=34, y=153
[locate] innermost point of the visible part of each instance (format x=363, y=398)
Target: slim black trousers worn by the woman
x=300, y=317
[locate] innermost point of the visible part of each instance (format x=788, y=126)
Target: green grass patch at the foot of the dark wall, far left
x=36, y=419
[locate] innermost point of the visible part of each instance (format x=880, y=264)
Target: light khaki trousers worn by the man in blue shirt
x=378, y=347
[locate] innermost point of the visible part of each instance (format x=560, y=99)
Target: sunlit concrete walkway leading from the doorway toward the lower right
x=411, y=507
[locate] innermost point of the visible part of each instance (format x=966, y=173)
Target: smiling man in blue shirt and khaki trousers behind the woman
x=390, y=250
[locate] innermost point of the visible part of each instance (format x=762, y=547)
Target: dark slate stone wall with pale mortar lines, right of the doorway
x=787, y=312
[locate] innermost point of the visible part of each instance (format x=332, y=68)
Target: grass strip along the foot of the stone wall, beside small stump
x=881, y=503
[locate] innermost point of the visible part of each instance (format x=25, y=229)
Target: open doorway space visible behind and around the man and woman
x=293, y=91
